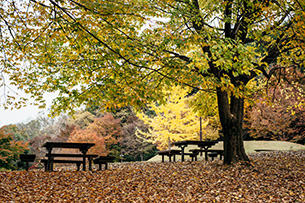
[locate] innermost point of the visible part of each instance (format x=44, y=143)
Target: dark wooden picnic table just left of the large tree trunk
x=205, y=145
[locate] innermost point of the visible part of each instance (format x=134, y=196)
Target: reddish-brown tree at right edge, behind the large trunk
x=279, y=111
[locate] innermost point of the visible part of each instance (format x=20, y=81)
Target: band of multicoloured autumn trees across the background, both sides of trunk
x=275, y=112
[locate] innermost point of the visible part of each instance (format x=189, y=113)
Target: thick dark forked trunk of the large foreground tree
x=231, y=113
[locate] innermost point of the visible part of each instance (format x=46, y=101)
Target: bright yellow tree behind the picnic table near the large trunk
x=174, y=120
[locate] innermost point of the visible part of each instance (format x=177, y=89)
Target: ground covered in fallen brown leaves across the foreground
x=274, y=177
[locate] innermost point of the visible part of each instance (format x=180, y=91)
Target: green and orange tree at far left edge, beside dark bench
x=10, y=149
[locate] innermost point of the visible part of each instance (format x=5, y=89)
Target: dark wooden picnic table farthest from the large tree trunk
x=83, y=148
